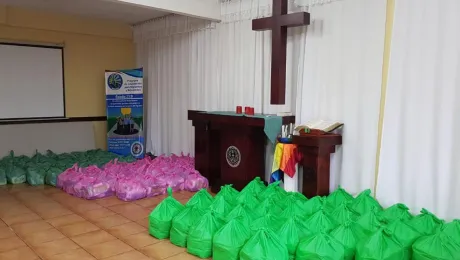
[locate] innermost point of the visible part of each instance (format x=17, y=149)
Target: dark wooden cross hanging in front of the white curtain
x=279, y=23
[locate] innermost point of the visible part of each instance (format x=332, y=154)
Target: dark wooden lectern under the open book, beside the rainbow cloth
x=316, y=152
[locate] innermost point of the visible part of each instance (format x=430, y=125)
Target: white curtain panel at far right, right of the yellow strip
x=419, y=163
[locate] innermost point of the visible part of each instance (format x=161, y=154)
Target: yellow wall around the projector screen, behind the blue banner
x=90, y=47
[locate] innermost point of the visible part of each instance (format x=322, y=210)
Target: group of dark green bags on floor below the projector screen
x=43, y=169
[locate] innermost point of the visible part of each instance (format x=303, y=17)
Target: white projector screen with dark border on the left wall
x=31, y=82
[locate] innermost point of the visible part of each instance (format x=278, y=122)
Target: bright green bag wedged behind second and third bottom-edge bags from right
x=348, y=235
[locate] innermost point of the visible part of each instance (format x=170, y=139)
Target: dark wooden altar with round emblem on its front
x=230, y=149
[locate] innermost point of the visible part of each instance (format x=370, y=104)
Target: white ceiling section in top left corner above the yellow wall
x=102, y=9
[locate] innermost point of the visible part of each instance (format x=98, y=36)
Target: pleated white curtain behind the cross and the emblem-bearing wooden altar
x=194, y=64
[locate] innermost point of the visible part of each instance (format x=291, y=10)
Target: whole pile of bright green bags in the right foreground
x=269, y=223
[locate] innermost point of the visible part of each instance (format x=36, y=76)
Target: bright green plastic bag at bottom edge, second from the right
x=382, y=246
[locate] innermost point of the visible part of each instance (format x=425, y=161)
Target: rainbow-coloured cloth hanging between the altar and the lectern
x=284, y=161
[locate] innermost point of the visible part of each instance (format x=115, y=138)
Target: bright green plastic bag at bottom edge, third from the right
x=320, y=247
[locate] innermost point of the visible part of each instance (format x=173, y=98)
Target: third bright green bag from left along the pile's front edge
x=199, y=241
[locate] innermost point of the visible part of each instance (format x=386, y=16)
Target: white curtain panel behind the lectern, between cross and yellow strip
x=341, y=81
